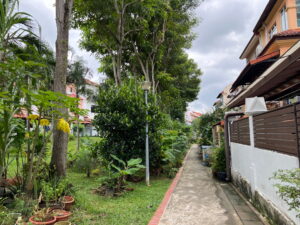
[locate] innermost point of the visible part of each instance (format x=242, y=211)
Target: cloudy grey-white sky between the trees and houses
x=225, y=28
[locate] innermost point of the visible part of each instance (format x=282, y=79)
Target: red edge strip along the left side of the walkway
x=164, y=204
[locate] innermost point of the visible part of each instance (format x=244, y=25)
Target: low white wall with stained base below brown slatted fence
x=251, y=171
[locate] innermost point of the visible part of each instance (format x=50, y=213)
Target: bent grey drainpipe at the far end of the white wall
x=227, y=145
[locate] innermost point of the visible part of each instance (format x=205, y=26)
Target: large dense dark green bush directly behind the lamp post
x=121, y=119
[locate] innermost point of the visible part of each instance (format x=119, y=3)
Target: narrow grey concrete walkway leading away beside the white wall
x=200, y=200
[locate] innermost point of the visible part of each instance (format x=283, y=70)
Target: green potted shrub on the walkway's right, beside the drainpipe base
x=219, y=163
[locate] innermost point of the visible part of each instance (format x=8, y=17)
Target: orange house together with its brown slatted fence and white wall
x=262, y=143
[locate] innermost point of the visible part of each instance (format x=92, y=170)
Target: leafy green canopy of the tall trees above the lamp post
x=145, y=39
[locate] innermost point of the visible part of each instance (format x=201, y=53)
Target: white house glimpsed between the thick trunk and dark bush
x=87, y=103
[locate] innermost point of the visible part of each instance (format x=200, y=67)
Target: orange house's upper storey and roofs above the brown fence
x=272, y=66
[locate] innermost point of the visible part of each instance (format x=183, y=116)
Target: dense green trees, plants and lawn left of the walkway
x=135, y=42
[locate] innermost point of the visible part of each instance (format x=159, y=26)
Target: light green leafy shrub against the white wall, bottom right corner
x=289, y=188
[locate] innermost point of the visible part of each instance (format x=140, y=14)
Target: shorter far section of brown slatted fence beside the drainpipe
x=239, y=132
